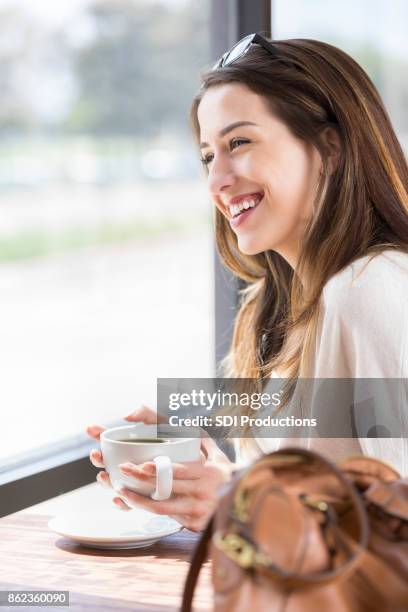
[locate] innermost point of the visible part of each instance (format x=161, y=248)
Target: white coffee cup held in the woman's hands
x=163, y=454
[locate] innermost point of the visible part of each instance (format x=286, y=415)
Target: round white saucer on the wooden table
x=114, y=529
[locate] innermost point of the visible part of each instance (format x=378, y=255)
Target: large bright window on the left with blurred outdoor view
x=105, y=227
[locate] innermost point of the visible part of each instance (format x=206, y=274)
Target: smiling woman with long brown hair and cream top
x=310, y=188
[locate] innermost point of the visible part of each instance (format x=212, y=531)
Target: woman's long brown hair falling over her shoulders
x=361, y=208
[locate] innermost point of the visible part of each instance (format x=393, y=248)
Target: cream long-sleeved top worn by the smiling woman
x=362, y=334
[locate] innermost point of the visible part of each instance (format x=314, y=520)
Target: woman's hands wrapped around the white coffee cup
x=195, y=484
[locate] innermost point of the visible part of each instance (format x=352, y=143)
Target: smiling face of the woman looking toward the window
x=261, y=178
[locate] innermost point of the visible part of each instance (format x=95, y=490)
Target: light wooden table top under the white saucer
x=148, y=579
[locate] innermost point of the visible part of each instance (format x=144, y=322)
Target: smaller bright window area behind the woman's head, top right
x=373, y=32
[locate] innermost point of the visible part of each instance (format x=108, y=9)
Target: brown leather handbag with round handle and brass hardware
x=296, y=533
